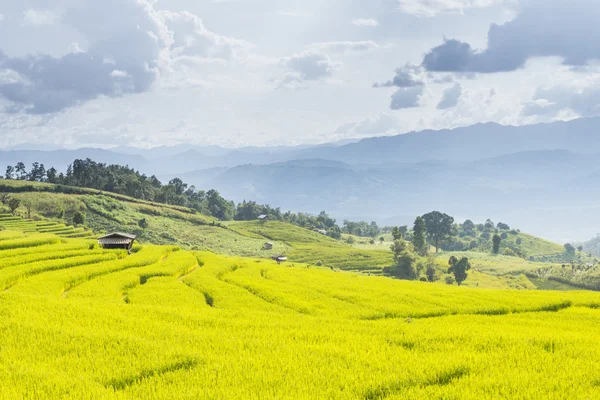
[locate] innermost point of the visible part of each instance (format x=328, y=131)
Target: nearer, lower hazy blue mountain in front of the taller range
x=541, y=191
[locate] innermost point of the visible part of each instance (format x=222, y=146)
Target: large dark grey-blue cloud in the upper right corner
x=564, y=28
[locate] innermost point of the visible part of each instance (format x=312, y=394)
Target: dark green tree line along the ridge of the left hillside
x=129, y=182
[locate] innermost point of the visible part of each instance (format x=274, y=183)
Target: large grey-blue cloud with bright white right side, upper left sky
x=142, y=43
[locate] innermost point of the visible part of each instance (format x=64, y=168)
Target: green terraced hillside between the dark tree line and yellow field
x=171, y=225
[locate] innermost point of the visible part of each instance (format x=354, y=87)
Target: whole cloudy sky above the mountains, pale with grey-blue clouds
x=264, y=72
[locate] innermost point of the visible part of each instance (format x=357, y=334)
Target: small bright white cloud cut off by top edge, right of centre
x=430, y=8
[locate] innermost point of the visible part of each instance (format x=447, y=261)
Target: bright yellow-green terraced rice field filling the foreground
x=166, y=323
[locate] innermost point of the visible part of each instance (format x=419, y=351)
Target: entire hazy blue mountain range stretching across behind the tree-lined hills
x=539, y=177
